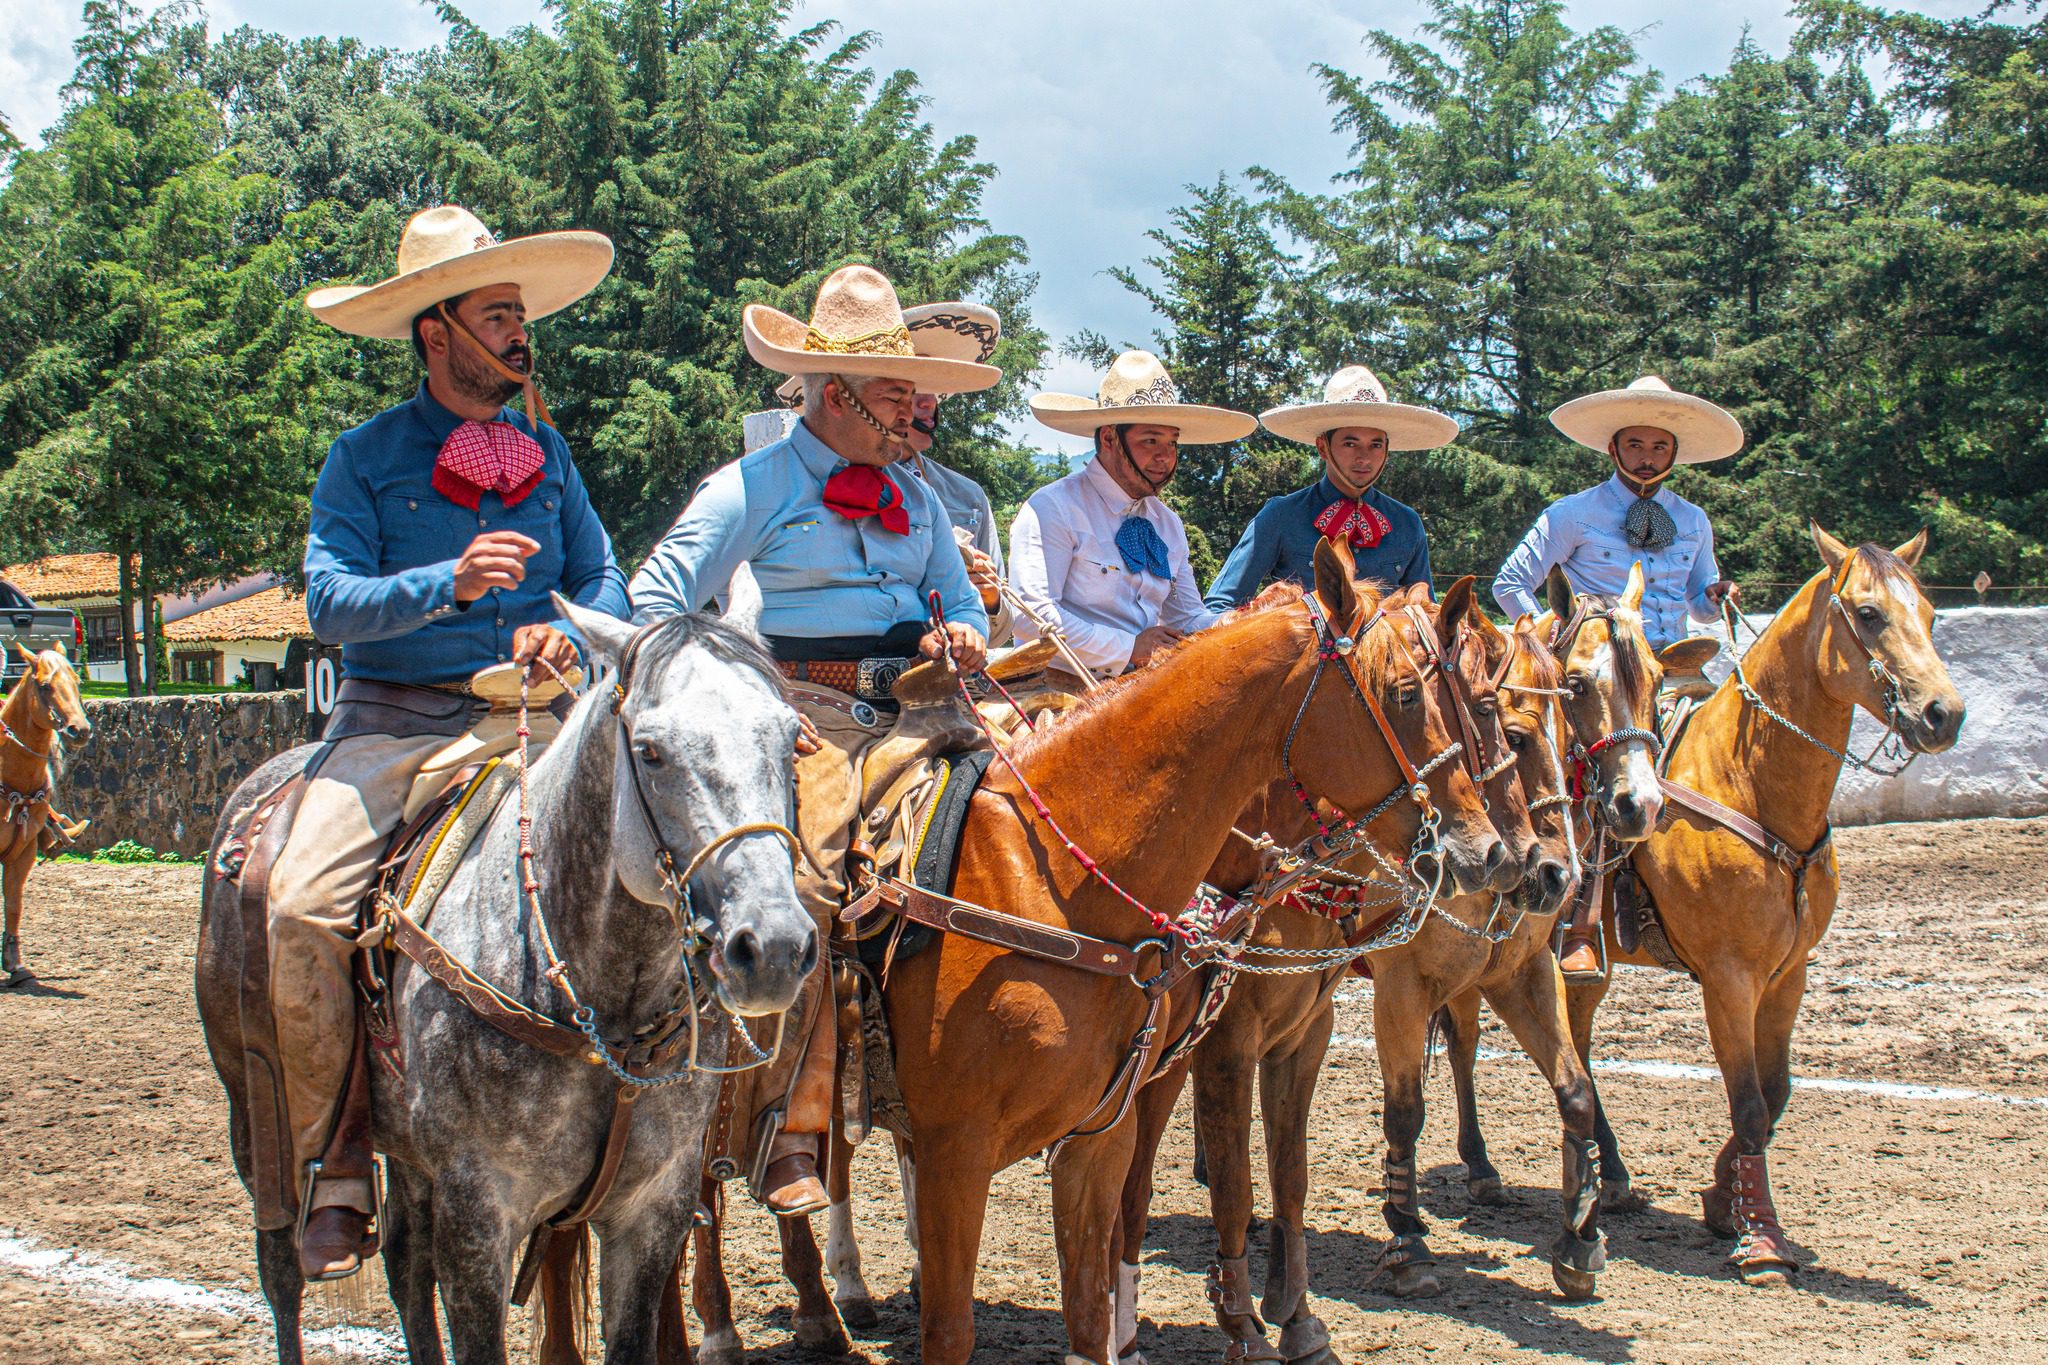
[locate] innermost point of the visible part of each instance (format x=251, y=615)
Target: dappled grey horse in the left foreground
x=681, y=766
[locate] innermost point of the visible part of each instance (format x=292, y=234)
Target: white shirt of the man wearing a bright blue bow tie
x=1066, y=566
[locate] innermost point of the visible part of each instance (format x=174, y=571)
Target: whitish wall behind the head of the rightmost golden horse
x=2000, y=662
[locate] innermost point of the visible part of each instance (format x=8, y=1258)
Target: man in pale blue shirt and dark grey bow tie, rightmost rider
x=1598, y=535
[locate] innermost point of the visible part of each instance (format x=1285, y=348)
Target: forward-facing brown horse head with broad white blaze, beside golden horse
x=1611, y=697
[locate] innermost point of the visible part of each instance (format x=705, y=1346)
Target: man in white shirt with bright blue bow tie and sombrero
x=1099, y=554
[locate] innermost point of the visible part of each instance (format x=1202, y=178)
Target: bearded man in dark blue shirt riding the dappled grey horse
x=439, y=529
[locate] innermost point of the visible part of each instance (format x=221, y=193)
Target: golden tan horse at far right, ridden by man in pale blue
x=1744, y=910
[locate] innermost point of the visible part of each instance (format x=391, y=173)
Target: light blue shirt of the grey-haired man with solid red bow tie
x=822, y=576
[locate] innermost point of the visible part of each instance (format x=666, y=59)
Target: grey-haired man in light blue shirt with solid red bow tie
x=847, y=549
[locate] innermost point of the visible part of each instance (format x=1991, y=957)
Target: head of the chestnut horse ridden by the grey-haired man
x=1383, y=730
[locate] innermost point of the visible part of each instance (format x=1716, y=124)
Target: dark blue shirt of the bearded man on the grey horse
x=380, y=556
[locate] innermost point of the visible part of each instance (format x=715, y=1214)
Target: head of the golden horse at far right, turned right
x=1877, y=644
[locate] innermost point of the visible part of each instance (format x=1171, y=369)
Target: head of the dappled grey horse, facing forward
x=701, y=793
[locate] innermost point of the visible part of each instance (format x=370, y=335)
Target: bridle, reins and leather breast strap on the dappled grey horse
x=691, y=928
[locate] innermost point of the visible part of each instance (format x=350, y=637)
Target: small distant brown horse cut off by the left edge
x=42, y=709
